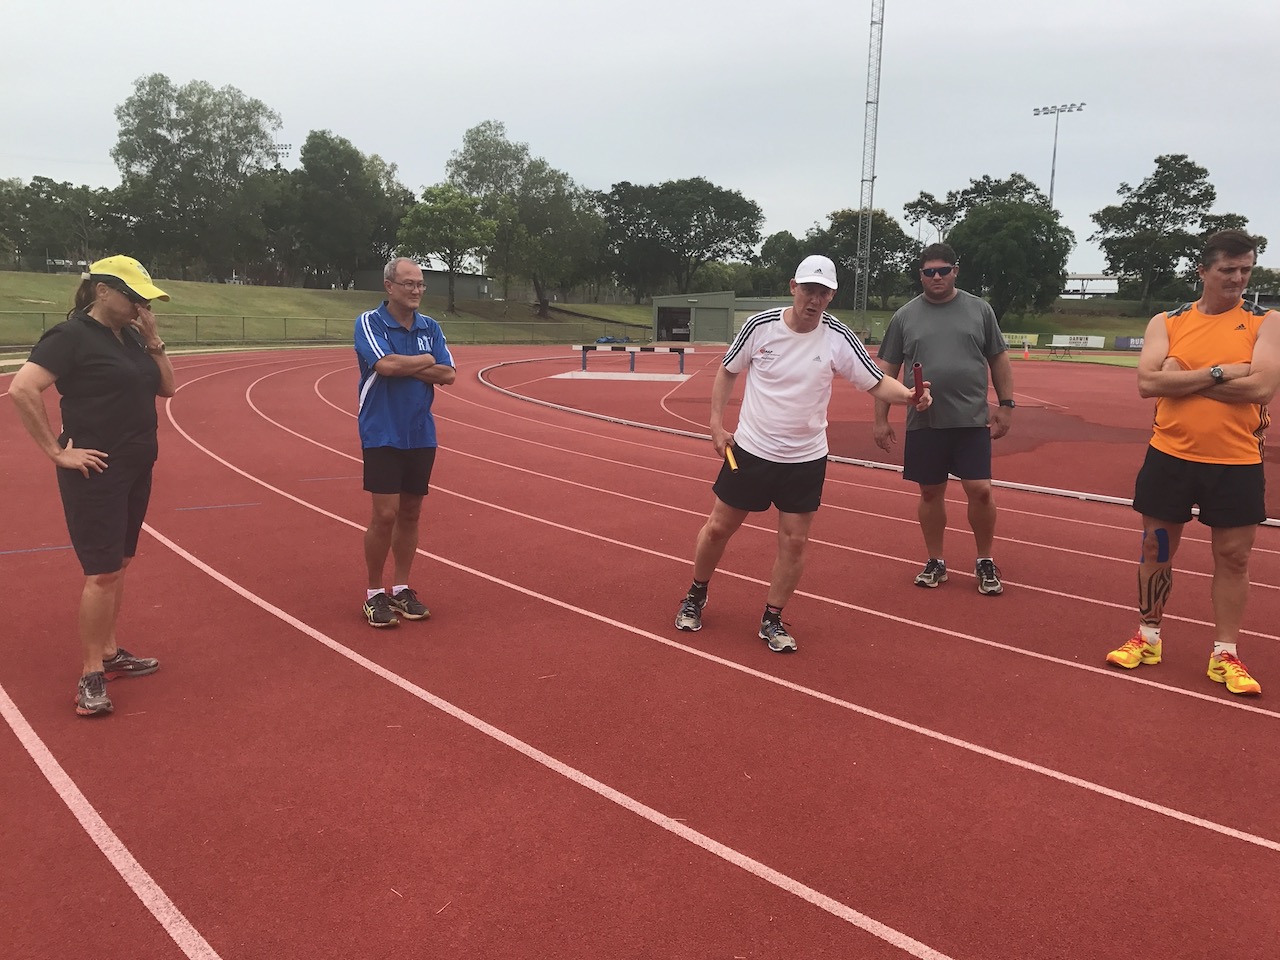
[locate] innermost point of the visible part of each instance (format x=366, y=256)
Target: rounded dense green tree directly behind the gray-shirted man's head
x=1014, y=253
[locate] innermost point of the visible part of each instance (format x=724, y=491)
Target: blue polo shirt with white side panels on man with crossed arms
x=396, y=412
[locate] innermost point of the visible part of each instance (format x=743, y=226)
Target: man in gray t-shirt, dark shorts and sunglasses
x=956, y=340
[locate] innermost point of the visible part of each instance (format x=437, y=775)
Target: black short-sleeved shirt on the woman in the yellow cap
x=109, y=388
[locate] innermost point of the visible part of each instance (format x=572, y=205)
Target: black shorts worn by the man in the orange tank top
x=1228, y=495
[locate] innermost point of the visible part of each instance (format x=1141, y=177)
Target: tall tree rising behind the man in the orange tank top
x=1158, y=226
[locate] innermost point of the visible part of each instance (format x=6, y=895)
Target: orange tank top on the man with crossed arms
x=1199, y=428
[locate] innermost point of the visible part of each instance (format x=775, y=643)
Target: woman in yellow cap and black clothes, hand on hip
x=109, y=365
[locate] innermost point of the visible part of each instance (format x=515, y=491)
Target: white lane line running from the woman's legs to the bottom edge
x=789, y=885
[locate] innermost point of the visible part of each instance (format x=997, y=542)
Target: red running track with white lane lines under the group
x=548, y=770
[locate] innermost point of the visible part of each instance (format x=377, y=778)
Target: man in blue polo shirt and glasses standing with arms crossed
x=403, y=358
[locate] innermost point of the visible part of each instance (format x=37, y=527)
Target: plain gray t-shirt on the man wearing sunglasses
x=954, y=344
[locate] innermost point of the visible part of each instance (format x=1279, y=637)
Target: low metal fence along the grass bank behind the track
x=20, y=331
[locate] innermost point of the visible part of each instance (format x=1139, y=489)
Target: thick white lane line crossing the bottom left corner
x=177, y=926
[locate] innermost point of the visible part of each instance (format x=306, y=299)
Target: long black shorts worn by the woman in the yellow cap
x=106, y=511
